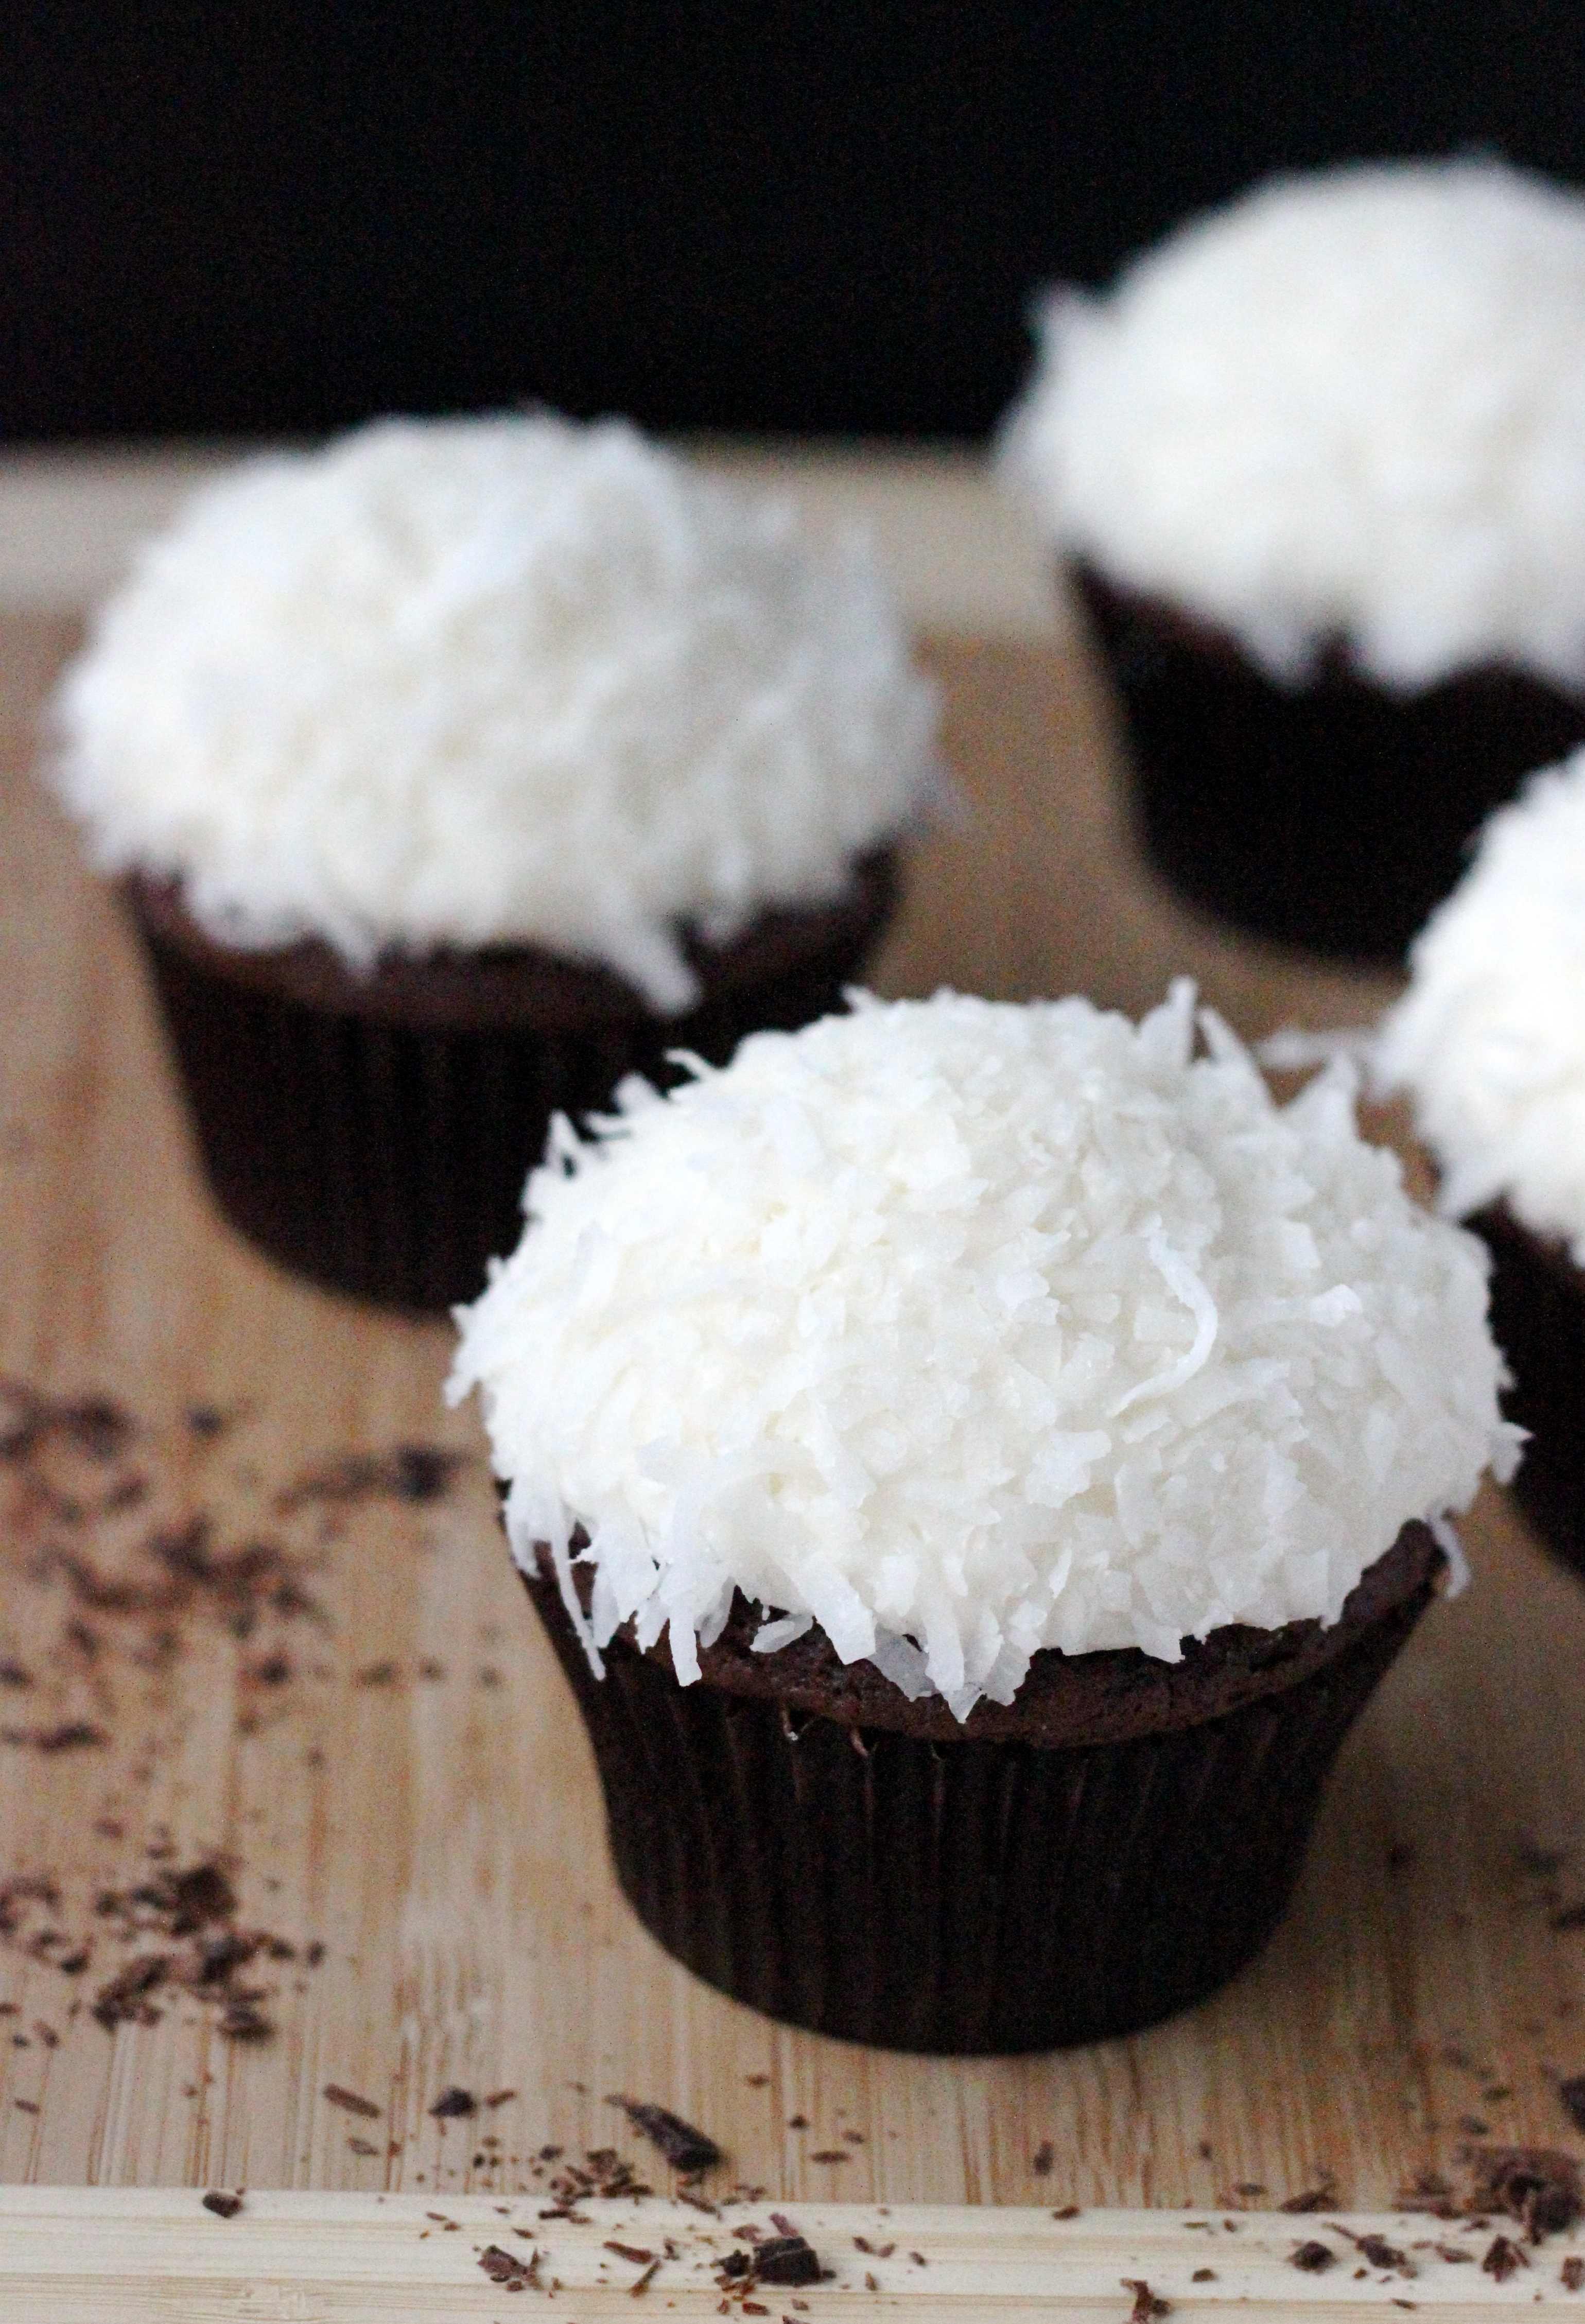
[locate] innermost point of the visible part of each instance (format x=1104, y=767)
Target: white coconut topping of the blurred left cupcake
x=454, y=684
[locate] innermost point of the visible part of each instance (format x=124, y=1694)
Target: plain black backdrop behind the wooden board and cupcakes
x=766, y=215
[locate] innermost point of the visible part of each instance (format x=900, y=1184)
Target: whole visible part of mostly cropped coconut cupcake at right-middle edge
x=1491, y=1047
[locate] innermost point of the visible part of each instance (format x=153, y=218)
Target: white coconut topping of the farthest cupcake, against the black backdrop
x=1349, y=408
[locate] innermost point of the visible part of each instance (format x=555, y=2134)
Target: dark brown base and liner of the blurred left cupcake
x=387, y=1156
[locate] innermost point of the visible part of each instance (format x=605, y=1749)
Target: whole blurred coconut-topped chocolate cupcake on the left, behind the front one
x=461, y=770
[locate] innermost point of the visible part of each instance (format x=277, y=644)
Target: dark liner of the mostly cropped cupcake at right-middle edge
x=1540, y=1326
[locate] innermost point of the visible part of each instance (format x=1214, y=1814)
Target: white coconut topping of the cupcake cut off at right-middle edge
x=1491, y=1035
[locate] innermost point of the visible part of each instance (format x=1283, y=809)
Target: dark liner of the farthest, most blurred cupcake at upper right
x=1333, y=815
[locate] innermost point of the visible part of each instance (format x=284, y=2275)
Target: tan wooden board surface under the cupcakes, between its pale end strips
x=438, y=1830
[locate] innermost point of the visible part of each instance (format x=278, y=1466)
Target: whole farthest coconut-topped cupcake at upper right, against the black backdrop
x=1317, y=468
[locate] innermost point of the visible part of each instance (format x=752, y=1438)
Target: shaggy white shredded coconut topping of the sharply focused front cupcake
x=968, y=1330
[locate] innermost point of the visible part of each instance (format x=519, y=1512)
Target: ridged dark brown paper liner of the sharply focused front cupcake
x=959, y=1898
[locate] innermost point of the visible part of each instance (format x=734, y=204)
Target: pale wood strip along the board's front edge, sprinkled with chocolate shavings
x=148, y=2258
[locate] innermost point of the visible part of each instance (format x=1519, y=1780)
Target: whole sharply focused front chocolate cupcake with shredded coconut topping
x=975, y=1463
